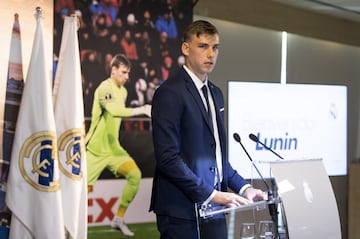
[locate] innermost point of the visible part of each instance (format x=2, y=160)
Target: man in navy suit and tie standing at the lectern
x=190, y=145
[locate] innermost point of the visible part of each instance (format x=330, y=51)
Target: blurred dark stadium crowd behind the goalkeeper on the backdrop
x=149, y=33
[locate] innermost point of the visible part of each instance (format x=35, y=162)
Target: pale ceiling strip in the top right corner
x=346, y=9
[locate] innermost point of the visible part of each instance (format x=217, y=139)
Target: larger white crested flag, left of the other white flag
x=33, y=190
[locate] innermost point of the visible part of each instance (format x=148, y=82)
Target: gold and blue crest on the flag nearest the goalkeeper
x=70, y=153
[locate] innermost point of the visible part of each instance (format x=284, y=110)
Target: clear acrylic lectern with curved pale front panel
x=305, y=200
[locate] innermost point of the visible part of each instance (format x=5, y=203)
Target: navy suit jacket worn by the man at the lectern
x=185, y=148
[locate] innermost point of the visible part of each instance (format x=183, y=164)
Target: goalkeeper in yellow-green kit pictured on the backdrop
x=103, y=149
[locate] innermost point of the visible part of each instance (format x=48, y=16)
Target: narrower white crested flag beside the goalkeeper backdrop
x=69, y=118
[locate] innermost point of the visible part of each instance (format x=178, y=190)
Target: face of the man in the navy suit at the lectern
x=201, y=54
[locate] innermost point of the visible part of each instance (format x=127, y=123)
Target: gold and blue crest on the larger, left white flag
x=38, y=161
